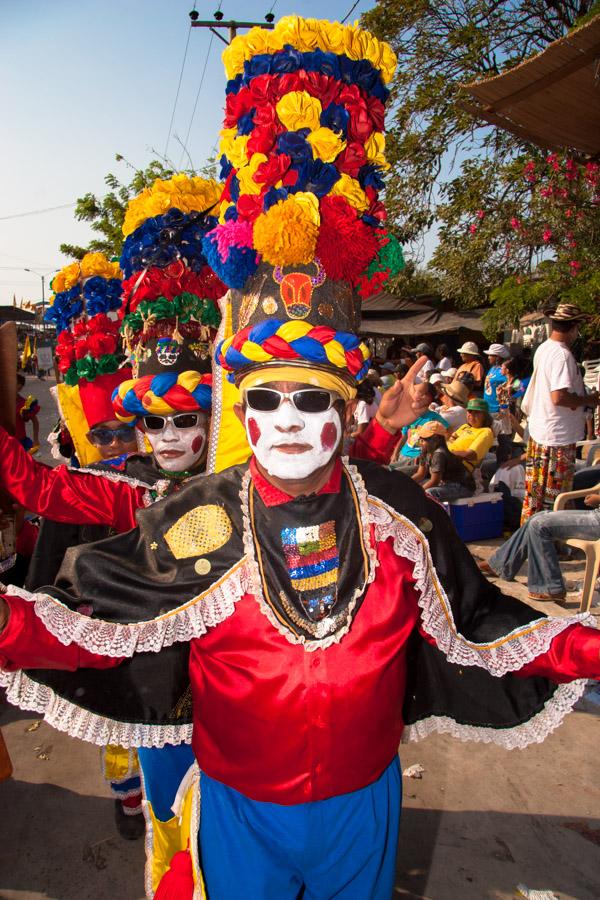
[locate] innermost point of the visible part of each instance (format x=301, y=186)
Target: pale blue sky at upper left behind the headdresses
x=81, y=81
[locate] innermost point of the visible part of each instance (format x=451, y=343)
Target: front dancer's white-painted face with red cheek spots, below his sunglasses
x=290, y=444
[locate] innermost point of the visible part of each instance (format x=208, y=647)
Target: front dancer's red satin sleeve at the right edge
x=574, y=653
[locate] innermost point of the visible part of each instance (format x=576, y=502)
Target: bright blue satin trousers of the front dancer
x=344, y=847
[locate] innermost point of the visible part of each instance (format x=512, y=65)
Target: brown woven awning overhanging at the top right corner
x=552, y=99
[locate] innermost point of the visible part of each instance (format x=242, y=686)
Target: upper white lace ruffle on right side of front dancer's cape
x=507, y=653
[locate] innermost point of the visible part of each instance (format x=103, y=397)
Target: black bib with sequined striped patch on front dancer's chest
x=312, y=560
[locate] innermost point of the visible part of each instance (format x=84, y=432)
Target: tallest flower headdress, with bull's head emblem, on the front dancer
x=301, y=236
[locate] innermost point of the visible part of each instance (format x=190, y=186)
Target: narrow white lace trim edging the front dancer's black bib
x=255, y=581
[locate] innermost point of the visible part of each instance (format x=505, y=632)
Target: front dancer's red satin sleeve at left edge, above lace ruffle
x=25, y=643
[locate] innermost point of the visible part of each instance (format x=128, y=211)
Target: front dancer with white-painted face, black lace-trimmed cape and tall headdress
x=294, y=616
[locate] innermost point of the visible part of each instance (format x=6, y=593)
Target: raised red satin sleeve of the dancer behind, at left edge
x=65, y=495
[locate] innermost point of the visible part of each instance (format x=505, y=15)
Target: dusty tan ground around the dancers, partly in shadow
x=479, y=822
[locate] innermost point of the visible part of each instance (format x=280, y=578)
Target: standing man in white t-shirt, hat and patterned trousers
x=554, y=403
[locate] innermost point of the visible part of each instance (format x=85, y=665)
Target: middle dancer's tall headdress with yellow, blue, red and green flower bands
x=169, y=295
